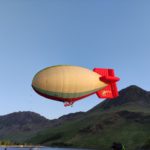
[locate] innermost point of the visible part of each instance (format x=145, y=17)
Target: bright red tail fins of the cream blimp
x=108, y=77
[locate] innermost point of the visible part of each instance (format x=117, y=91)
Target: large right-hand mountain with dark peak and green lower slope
x=125, y=119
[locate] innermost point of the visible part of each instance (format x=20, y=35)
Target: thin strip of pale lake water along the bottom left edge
x=43, y=148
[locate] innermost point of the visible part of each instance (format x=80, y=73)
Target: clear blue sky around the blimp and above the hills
x=35, y=34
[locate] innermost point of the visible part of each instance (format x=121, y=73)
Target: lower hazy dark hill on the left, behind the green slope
x=19, y=126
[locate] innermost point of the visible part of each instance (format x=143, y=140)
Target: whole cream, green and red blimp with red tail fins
x=71, y=83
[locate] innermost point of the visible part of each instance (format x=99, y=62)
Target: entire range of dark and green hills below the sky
x=125, y=119
